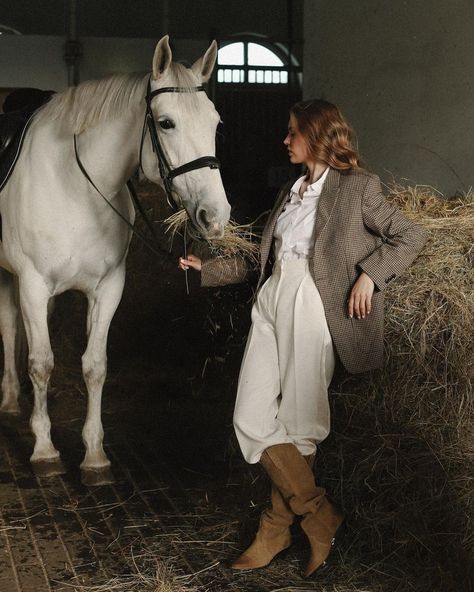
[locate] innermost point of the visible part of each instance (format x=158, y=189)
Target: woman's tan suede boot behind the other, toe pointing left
x=273, y=535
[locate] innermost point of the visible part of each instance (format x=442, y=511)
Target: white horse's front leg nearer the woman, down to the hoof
x=103, y=303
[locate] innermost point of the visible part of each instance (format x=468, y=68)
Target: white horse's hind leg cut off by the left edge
x=8, y=329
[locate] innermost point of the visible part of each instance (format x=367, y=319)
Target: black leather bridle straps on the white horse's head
x=166, y=172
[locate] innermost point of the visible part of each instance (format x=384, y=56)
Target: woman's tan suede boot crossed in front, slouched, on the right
x=295, y=481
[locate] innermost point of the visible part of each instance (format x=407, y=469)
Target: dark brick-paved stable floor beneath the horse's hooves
x=57, y=535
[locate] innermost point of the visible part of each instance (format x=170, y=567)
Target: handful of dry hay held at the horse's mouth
x=239, y=240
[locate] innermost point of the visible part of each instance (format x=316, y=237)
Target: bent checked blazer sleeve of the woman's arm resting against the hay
x=402, y=239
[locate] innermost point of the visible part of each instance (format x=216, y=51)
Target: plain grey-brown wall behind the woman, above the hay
x=402, y=73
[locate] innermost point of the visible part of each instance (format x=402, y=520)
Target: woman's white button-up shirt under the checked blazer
x=294, y=230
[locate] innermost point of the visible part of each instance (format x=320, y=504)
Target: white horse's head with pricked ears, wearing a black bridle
x=186, y=121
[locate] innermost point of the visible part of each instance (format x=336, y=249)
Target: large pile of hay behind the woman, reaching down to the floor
x=400, y=457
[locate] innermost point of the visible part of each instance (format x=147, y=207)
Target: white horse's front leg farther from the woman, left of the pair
x=34, y=297
